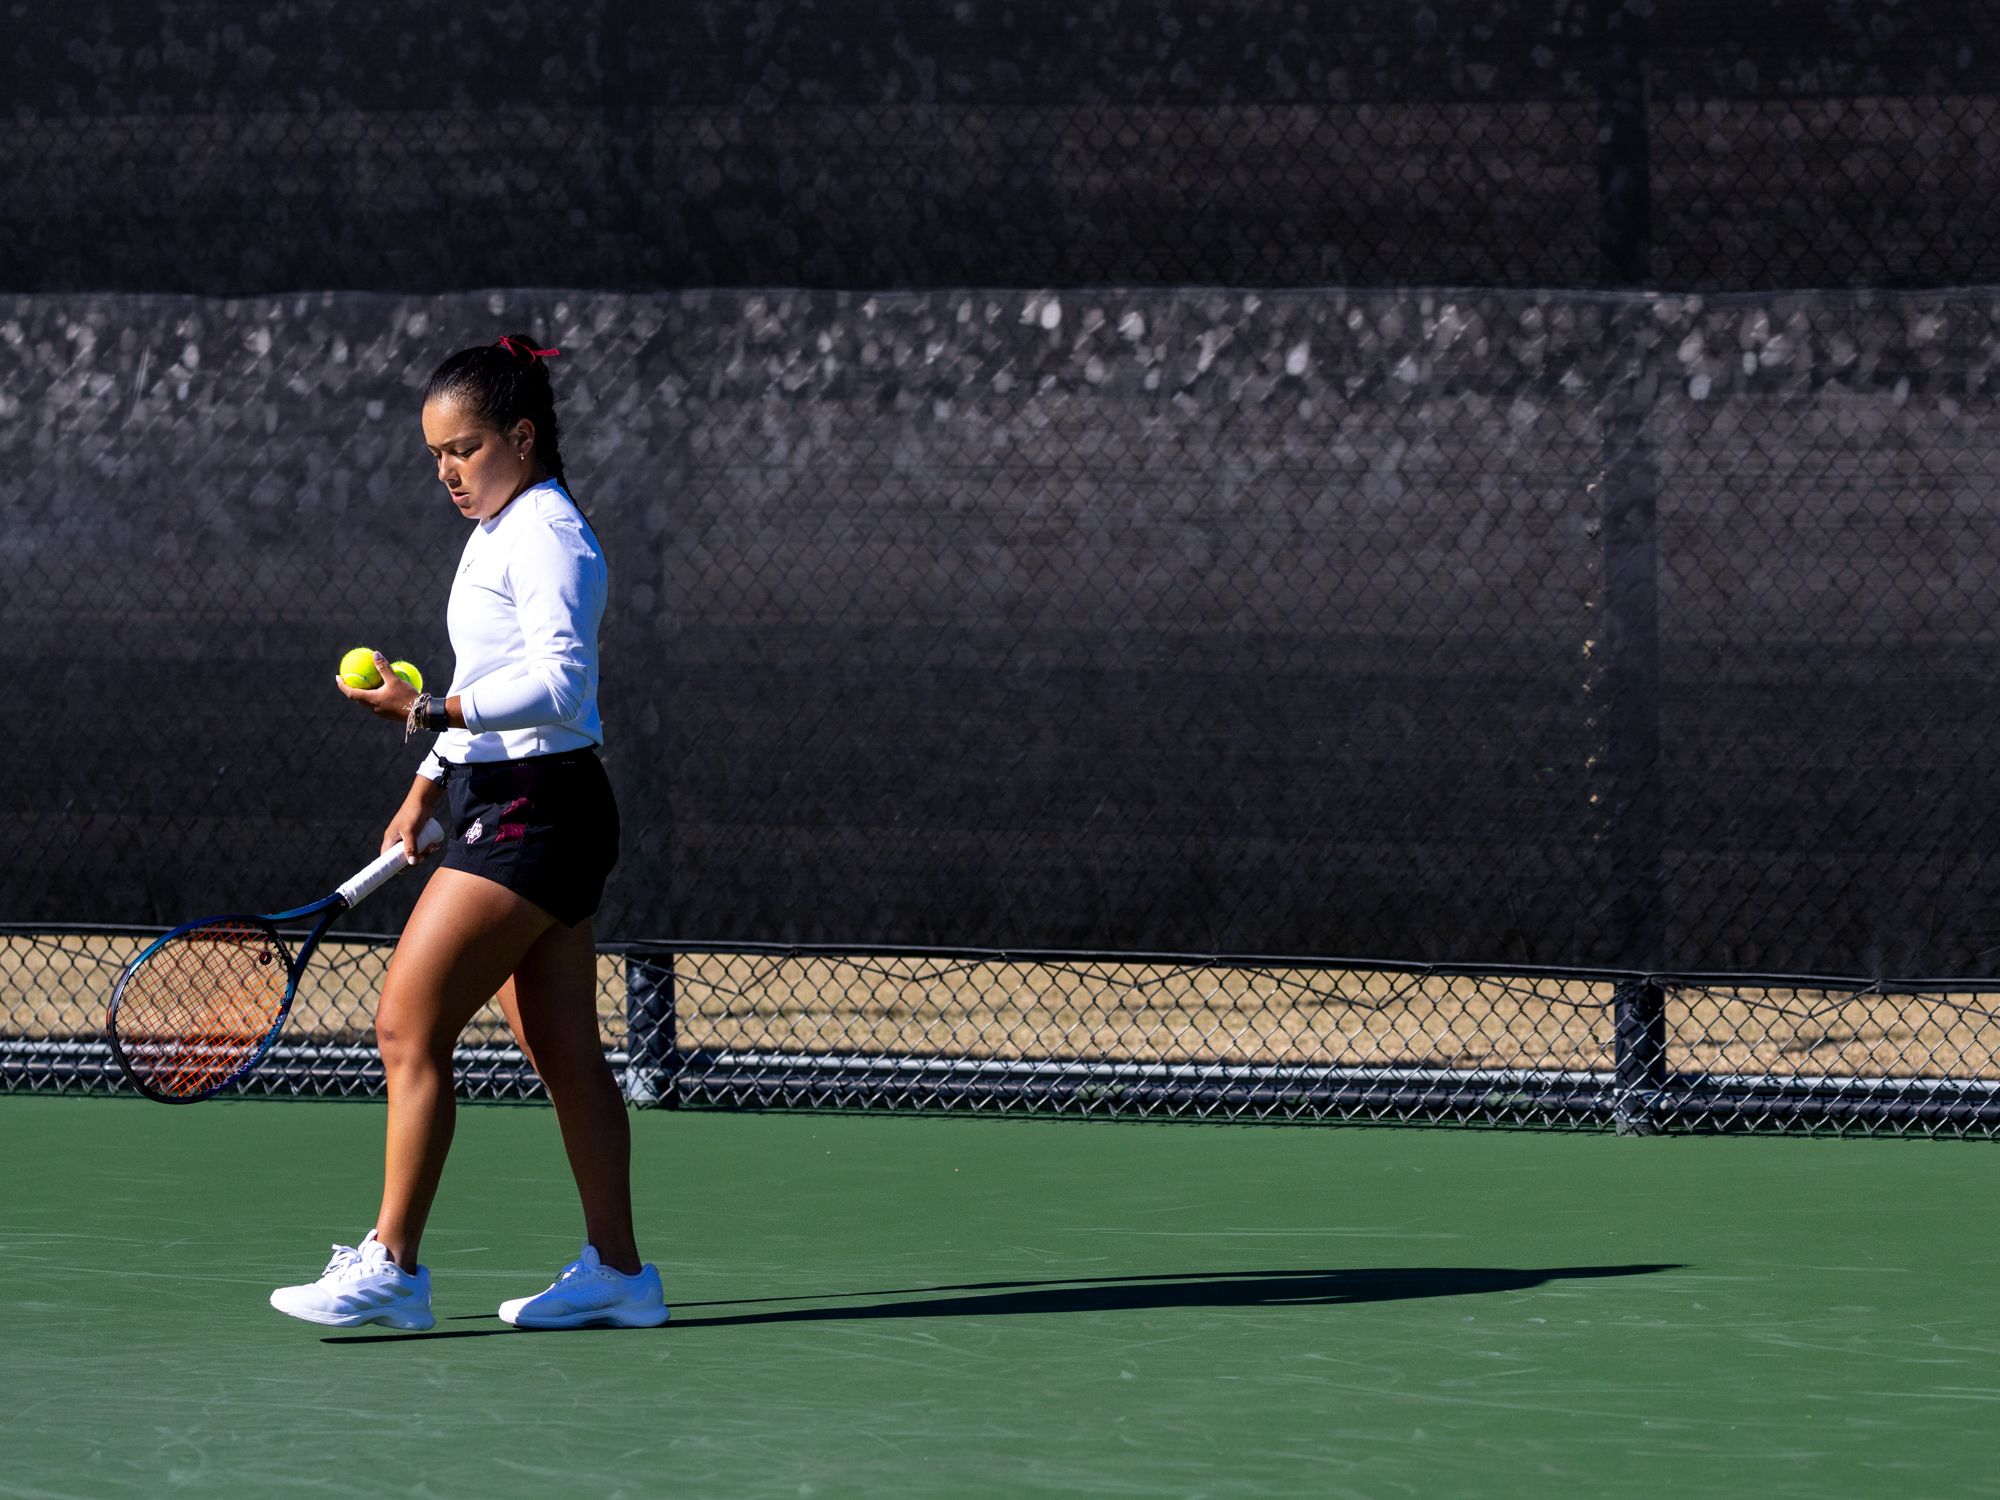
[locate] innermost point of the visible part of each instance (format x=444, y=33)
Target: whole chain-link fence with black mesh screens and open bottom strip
x=1293, y=573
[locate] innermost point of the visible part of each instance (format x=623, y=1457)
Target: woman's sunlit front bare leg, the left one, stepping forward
x=463, y=941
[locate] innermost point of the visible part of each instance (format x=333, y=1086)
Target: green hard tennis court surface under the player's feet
x=961, y=1307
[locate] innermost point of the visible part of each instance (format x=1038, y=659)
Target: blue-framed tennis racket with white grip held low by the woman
x=203, y=1005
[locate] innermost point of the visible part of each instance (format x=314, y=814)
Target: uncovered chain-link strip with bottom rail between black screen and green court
x=1147, y=1035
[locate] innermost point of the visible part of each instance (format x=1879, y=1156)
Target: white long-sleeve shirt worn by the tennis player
x=525, y=633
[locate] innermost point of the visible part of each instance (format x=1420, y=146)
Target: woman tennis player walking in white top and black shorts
x=533, y=833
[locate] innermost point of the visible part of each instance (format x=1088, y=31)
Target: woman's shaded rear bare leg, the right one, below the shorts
x=553, y=1007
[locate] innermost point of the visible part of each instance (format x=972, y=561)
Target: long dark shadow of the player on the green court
x=1237, y=1289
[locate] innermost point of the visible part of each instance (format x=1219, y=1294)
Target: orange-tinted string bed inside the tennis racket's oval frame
x=201, y=1007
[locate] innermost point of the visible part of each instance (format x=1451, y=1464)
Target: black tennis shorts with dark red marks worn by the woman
x=543, y=827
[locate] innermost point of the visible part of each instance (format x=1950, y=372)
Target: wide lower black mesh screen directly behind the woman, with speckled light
x=1173, y=621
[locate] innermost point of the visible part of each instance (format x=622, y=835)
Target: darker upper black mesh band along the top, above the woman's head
x=237, y=149
